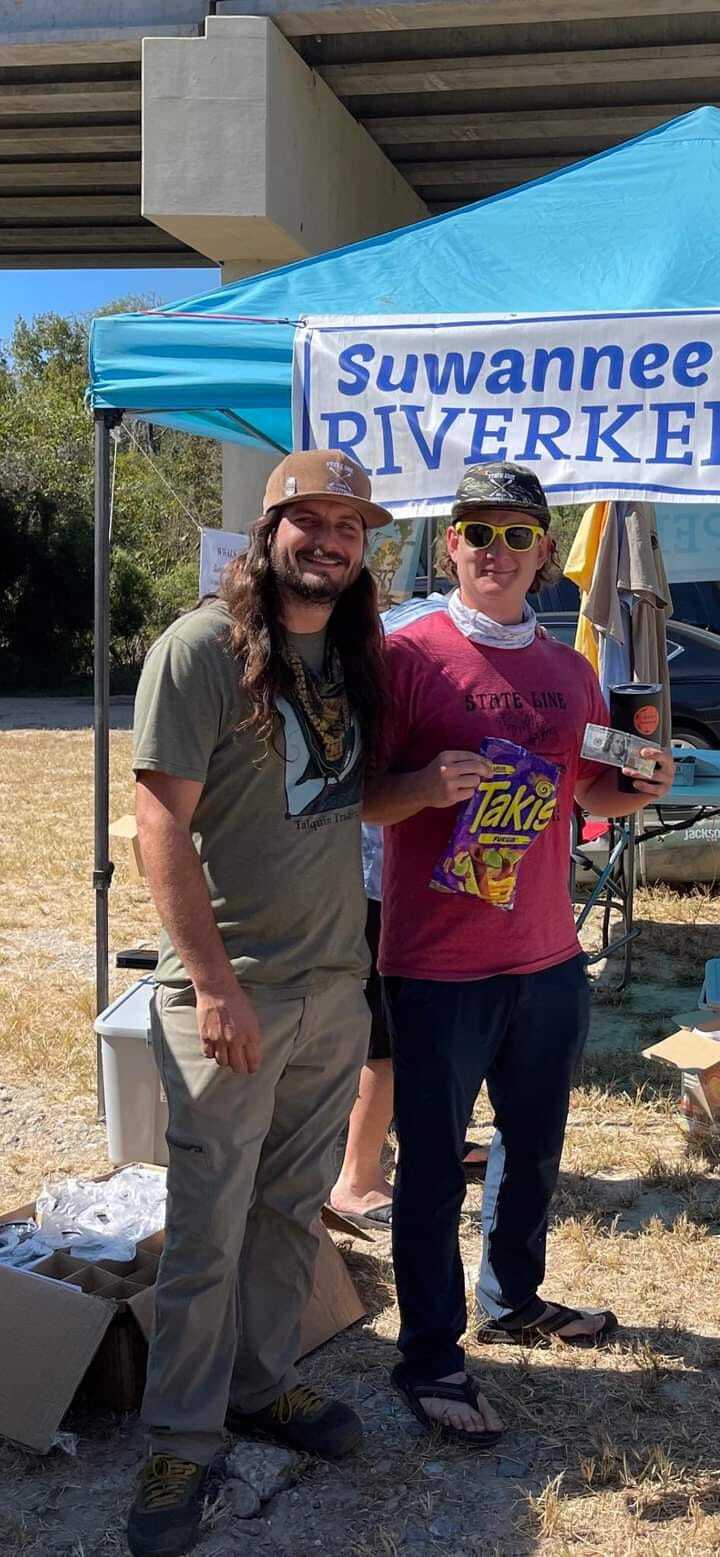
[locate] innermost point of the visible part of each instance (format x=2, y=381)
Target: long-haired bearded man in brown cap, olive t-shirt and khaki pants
x=256, y=725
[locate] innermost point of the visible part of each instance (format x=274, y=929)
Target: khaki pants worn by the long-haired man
x=252, y=1162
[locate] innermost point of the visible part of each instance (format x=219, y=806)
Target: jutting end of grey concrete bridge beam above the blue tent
x=249, y=156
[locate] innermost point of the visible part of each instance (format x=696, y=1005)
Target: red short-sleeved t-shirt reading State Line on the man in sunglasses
x=448, y=694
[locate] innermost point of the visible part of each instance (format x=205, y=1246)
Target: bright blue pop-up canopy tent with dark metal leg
x=630, y=230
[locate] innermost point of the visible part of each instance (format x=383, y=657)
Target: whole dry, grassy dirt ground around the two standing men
x=610, y=1453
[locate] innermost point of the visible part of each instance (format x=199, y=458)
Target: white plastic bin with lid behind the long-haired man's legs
x=135, y=1102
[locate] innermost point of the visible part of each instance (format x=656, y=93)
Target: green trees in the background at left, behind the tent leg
x=166, y=485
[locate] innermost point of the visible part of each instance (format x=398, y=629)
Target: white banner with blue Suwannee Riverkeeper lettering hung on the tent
x=604, y=406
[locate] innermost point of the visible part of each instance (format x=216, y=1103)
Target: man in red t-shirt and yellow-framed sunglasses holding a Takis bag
x=475, y=993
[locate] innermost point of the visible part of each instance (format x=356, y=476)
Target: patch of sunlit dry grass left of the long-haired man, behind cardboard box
x=48, y=960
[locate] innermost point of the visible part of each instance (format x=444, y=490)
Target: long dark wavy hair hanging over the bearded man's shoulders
x=250, y=591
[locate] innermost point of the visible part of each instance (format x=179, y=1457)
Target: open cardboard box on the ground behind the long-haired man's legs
x=71, y=1329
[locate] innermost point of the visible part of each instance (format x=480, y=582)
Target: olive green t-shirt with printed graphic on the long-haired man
x=278, y=834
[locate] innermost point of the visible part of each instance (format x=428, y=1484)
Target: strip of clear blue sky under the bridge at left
x=26, y=293
